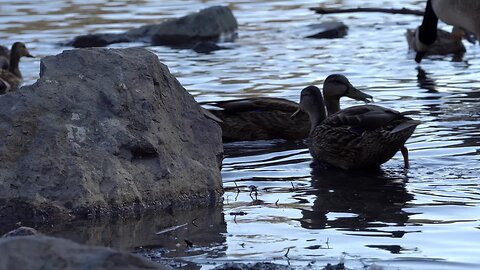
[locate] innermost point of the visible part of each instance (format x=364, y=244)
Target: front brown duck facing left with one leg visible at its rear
x=355, y=138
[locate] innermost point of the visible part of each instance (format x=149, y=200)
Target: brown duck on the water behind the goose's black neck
x=445, y=43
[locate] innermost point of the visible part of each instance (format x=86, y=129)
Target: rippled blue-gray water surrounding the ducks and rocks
x=426, y=217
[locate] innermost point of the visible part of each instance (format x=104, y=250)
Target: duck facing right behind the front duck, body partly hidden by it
x=268, y=118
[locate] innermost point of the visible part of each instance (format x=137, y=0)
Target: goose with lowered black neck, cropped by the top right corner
x=463, y=15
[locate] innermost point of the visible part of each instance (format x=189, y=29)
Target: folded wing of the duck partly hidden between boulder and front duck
x=253, y=104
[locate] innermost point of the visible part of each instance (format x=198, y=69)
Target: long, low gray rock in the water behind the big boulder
x=210, y=24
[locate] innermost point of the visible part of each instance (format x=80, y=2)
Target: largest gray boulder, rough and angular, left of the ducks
x=104, y=131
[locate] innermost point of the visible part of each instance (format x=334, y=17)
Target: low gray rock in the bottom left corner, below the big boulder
x=42, y=252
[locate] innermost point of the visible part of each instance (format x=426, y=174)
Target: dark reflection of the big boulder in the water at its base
x=205, y=229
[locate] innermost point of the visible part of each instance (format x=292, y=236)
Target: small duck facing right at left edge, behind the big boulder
x=11, y=78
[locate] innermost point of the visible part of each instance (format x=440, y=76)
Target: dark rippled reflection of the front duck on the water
x=363, y=201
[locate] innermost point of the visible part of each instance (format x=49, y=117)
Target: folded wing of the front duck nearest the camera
x=367, y=117
